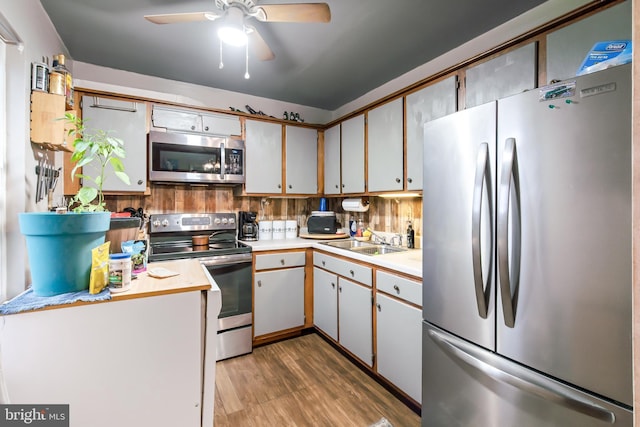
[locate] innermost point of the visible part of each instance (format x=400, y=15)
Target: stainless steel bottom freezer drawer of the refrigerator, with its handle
x=466, y=385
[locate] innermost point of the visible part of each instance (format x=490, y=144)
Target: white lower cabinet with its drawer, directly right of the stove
x=278, y=293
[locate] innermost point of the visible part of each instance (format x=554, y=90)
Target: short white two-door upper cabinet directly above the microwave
x=184, y=120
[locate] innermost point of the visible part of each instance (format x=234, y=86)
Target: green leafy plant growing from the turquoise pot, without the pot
x=89, y=146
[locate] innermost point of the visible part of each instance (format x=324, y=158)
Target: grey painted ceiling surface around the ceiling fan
x=366, y=44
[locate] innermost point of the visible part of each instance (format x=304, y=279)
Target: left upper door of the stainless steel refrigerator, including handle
x=459, y=204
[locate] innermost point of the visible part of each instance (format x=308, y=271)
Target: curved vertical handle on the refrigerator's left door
x=482, y=173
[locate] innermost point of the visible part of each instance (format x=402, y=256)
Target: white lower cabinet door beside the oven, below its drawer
x=279, y=300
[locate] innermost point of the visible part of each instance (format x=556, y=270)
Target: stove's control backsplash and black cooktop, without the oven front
x=170, y=236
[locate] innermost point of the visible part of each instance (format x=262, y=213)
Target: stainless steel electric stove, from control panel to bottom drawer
x=227, y=261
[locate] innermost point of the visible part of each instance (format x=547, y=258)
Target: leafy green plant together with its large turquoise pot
x=59, y=245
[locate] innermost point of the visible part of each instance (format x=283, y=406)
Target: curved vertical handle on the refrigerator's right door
x=508, y=275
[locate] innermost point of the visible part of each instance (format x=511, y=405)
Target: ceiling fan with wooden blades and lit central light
x=236, y=13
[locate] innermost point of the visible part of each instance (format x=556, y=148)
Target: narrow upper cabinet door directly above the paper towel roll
x=353, y=155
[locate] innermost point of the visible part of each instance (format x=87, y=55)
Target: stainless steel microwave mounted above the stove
x=195, y=159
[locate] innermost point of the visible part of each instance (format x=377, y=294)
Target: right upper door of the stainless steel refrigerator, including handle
x=566, y=249
